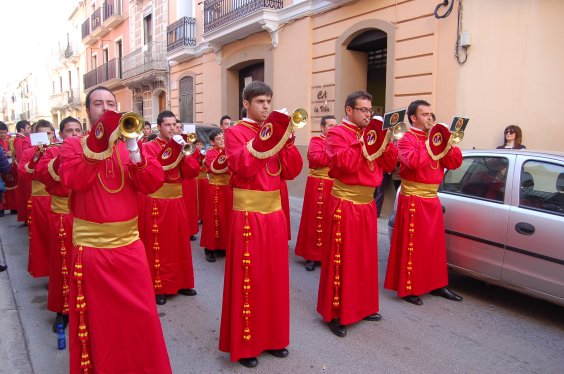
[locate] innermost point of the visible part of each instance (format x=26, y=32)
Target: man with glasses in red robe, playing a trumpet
x=348, y=285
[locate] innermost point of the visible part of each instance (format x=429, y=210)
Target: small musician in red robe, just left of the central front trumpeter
x=219, y=203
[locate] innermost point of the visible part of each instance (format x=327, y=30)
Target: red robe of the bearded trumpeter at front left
x=124, y=330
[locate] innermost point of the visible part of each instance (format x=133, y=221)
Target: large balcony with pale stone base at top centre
x=228, y=20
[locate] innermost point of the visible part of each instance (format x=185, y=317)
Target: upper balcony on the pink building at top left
x=104, y=19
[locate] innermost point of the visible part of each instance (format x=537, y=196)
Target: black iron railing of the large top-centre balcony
x=218, y=13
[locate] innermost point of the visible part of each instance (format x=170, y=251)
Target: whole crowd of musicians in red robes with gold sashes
x=111, y=217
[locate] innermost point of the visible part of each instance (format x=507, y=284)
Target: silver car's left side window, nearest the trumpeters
x=479, y=176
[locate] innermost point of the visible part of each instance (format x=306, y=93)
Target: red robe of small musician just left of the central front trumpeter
x=218, y=206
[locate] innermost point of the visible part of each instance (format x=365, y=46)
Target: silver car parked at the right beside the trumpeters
x=504, y=220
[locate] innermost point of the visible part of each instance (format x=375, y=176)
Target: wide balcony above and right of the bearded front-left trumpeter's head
x=145, y=62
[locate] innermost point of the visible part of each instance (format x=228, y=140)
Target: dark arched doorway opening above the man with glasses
x=375, y=44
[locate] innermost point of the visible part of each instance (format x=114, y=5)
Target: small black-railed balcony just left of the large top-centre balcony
x=181, y=39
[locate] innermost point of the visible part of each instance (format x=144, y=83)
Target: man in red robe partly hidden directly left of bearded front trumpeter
x=60, y=238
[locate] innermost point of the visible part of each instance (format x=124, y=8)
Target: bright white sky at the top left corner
x=29, y=31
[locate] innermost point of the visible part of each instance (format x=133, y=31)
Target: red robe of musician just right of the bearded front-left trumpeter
x=172, y=249
